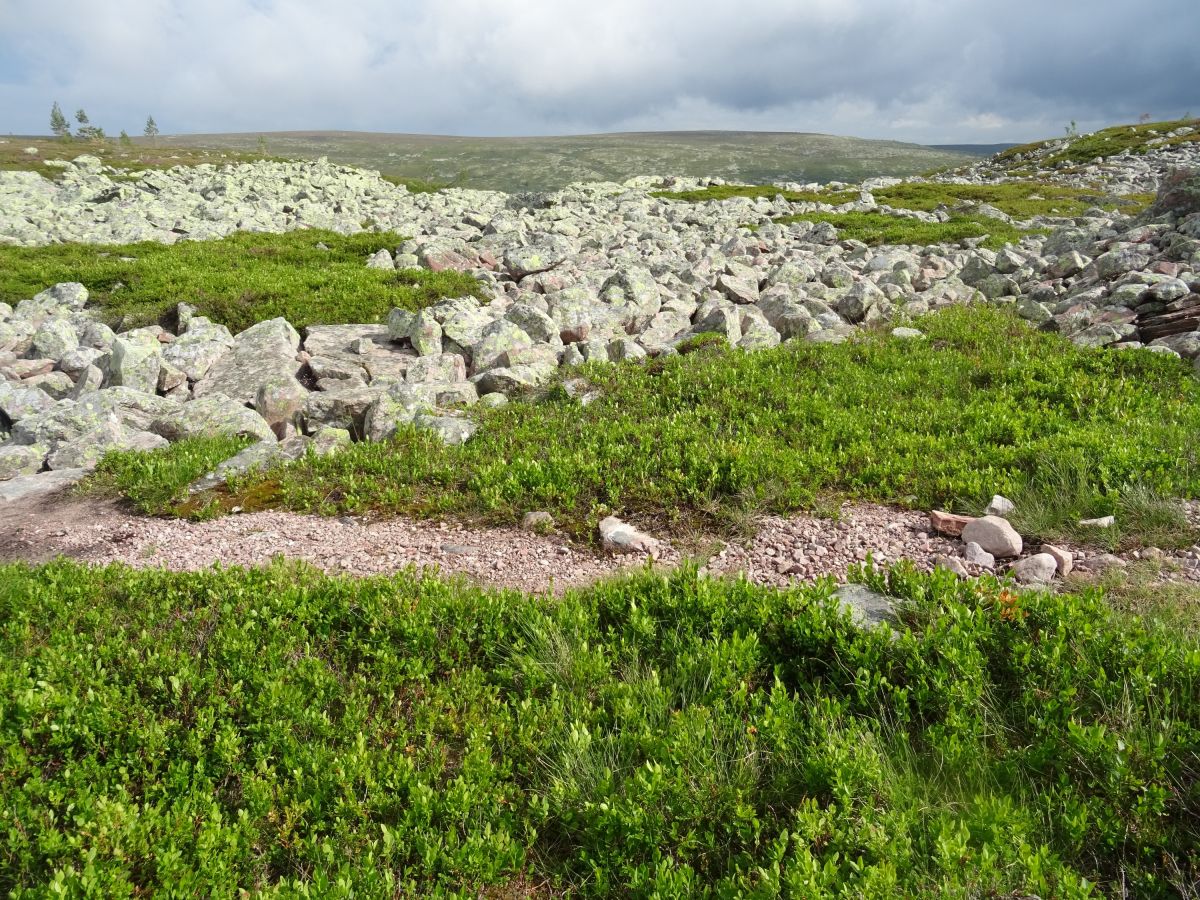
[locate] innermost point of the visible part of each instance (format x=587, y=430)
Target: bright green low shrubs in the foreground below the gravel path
x=281, y=733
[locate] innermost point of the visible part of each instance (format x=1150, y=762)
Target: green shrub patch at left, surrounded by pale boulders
x=309, y=277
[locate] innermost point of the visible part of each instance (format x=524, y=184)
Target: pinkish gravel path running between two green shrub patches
x=783, y=551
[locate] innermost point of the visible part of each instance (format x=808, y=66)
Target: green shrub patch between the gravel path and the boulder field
x=981, y=406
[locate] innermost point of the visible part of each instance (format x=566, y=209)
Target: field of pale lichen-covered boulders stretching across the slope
x=592, y=273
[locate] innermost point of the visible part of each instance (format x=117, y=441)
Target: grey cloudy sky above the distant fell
x=932, y=71
